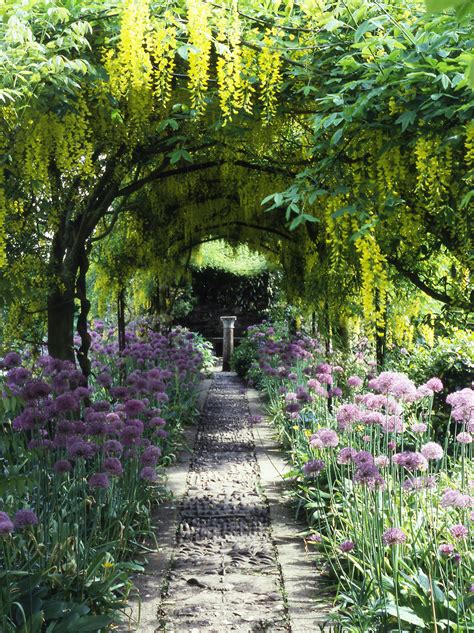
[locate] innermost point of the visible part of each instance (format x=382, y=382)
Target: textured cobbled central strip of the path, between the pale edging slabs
x=225, y=574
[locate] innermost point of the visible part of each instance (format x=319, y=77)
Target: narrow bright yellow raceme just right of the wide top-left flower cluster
x=199, y=38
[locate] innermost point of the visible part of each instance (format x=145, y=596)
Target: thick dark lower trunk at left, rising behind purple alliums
x=61, y=322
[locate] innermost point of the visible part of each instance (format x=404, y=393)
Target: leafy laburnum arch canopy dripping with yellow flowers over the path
x=178, y=115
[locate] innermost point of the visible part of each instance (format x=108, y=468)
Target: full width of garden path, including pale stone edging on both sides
x=230, y=555
